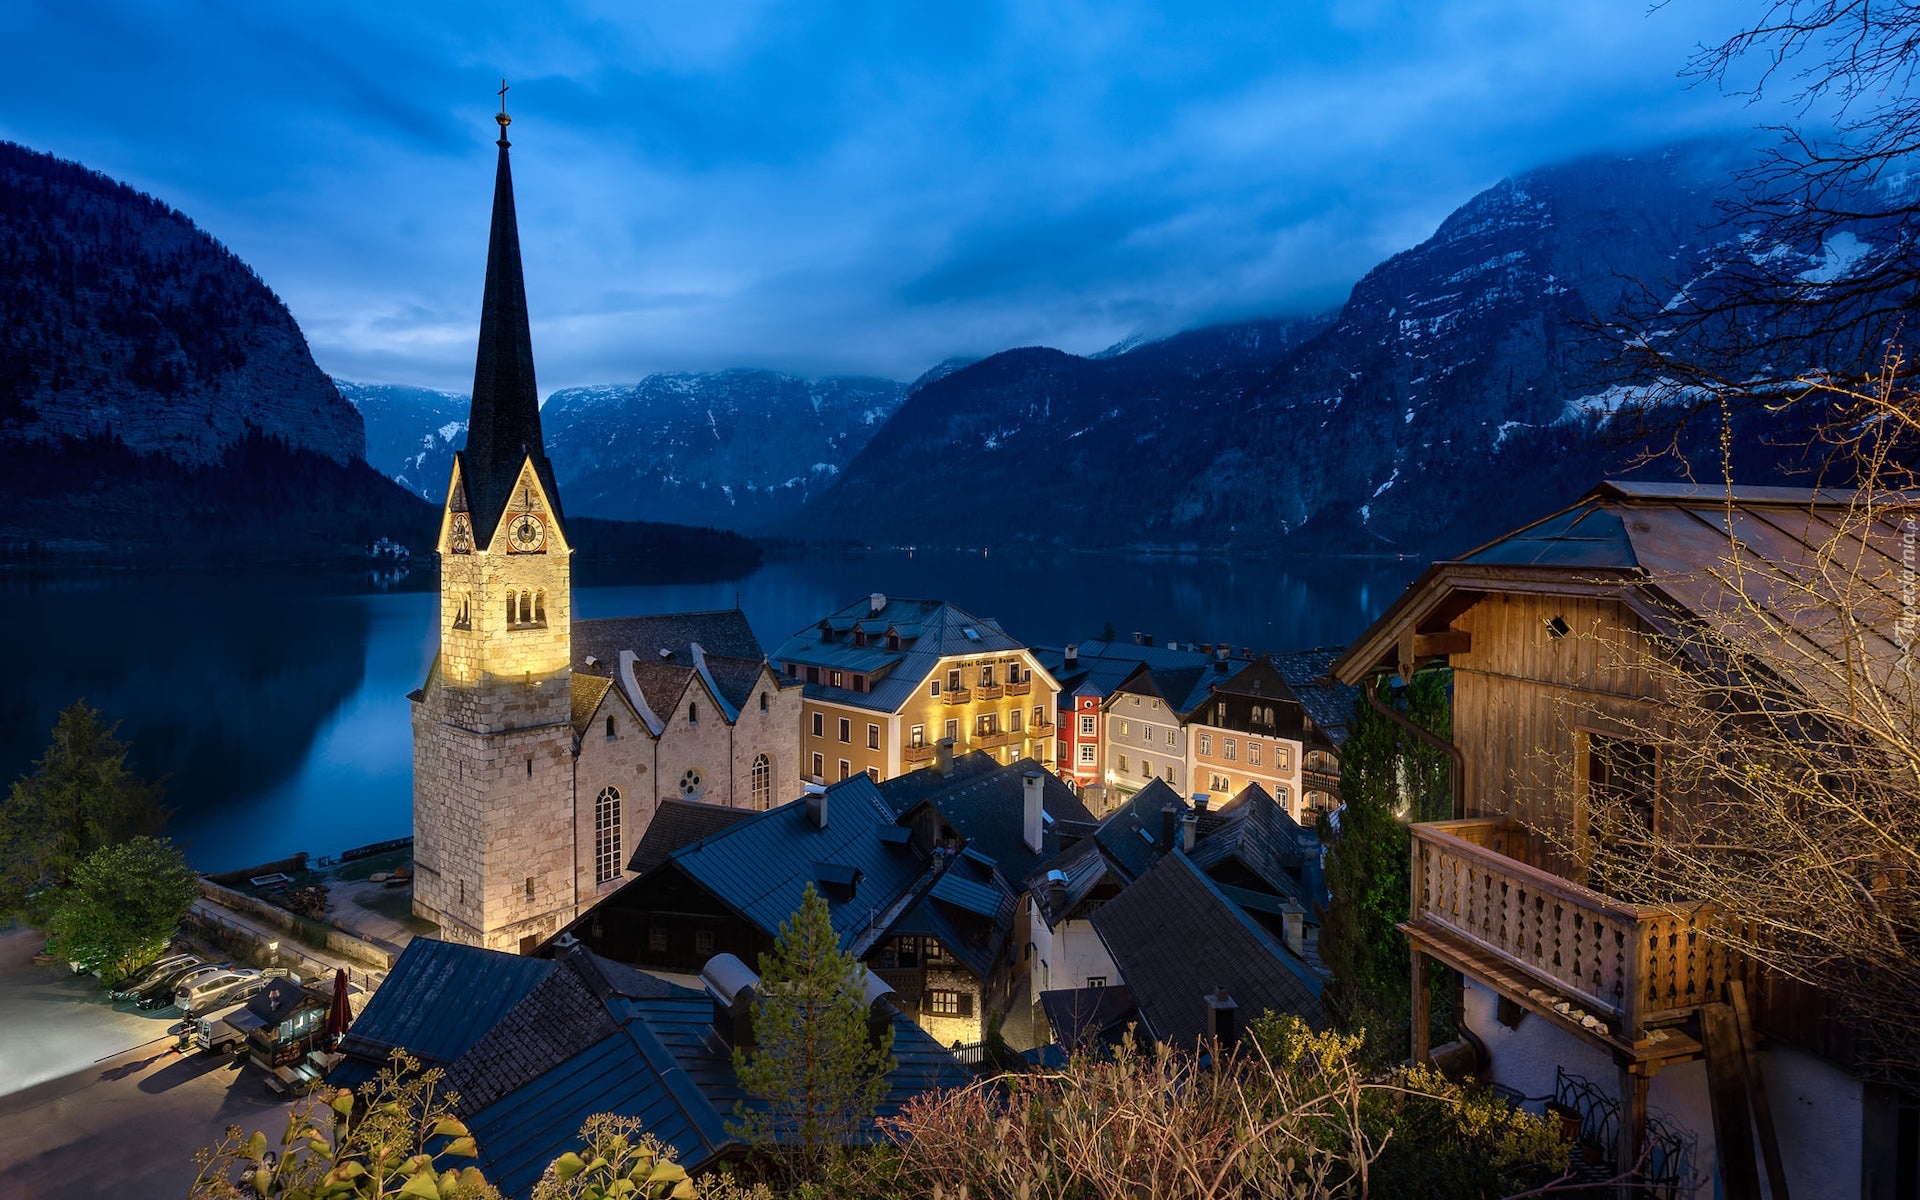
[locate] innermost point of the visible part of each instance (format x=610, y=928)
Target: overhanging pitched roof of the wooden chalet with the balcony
x=1668, y=550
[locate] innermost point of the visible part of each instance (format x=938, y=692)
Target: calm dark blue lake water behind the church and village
x=279, y=709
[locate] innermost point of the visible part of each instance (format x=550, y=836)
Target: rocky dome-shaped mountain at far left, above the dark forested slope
x=120, y=318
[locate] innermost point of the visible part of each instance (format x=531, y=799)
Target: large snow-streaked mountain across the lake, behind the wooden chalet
x=1456, y=393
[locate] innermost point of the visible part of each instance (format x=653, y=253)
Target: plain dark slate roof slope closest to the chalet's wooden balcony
x=1176, y=938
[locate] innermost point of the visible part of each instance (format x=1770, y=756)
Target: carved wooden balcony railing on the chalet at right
x=1621, y=963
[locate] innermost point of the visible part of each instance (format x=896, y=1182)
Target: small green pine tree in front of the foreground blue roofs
x=815, y=1072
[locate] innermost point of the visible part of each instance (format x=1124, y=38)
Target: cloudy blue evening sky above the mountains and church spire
x=832, y=187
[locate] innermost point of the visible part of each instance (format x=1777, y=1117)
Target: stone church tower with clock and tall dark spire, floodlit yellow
x=492, y=729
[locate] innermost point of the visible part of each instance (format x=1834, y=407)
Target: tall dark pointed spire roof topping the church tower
x=504, y=425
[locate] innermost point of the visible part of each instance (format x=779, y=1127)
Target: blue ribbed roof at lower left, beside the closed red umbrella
x=437, y=1003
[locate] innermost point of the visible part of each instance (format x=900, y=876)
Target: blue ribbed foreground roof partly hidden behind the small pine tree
x=663, y=1067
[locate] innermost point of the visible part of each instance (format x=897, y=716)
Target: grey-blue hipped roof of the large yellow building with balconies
x=938, y=631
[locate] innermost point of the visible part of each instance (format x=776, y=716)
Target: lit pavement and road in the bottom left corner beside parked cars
x=95, y=1101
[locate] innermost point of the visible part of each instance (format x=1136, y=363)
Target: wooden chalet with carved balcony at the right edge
x=1545, y=635
